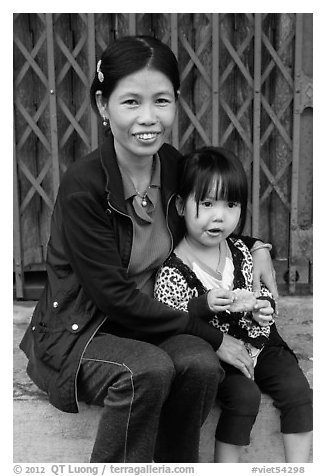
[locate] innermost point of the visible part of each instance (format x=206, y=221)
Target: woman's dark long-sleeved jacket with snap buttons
x=87, y=265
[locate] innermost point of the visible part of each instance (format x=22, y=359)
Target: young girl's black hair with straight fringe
x=198, y=177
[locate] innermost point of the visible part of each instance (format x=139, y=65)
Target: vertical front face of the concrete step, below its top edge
x=43, y=434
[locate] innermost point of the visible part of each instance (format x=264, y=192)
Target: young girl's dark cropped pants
x=278, y=374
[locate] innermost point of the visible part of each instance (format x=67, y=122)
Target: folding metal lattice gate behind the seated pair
x=243, y=87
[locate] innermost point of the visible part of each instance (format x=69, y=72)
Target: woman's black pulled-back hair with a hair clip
x=128, y=55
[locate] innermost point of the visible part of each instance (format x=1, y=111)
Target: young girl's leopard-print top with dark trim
x=176, y=284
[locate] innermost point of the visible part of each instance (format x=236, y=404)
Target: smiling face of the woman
x=141, y=111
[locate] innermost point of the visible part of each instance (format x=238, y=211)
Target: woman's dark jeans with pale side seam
x=155, y=398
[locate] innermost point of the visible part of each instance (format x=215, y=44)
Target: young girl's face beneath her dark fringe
x=214, y=222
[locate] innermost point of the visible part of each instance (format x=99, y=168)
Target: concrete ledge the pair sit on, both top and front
x=43, y=433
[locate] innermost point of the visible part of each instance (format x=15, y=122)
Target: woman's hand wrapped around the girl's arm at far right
x=263, y=270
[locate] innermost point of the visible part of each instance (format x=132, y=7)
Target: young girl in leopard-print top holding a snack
x=212, y=259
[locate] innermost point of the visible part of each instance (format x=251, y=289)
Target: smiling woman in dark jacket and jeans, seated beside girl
x=97, y=334
